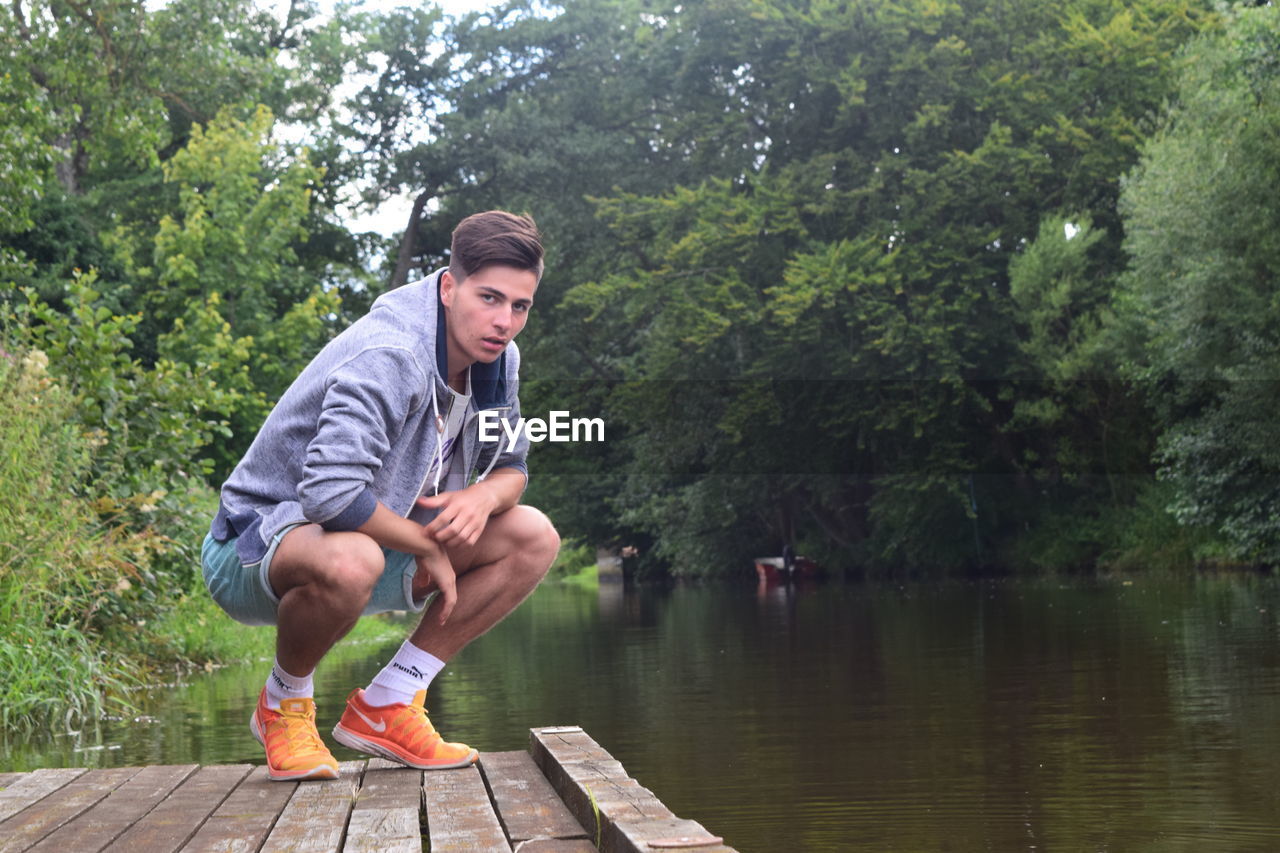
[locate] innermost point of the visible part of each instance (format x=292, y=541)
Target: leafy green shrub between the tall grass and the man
x=147, y=431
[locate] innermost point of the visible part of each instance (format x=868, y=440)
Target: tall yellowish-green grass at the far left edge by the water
x=60, y=563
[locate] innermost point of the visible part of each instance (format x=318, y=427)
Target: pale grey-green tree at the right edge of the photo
x=1200, y=298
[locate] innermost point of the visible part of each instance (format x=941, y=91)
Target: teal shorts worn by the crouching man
x=246, y=595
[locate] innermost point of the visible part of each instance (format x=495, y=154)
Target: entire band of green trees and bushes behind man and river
x=918, y=286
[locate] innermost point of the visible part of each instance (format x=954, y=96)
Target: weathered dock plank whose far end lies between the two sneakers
x=316, y=818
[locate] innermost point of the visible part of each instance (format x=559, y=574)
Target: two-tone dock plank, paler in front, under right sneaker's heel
x=386, y=816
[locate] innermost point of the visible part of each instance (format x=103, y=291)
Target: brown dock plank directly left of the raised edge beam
x=527, y=804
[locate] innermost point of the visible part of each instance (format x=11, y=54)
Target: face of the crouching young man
x=486, y=312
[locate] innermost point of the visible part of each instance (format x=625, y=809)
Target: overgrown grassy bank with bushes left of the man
x=99, y=571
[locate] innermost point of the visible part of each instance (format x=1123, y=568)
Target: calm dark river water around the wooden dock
x=957, y=717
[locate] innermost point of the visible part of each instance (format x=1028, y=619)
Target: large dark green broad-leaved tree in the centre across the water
x=860, y=261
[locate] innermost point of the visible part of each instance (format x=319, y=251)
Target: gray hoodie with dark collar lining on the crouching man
x=359, y=426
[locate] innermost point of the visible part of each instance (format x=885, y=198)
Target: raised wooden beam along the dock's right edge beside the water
x=592, y=782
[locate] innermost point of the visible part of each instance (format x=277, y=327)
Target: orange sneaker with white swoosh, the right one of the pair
x=400, y=733
